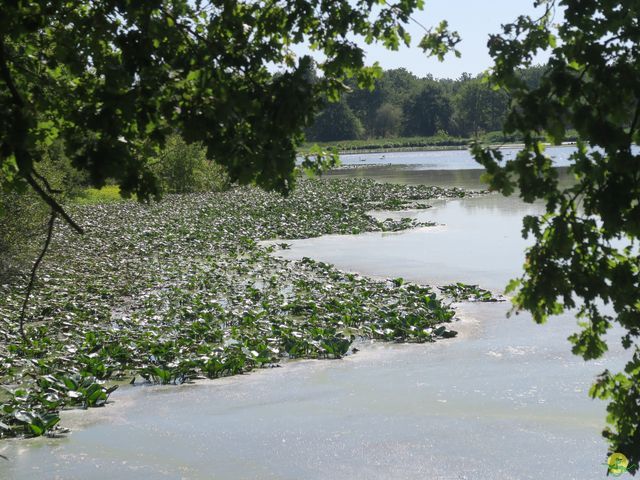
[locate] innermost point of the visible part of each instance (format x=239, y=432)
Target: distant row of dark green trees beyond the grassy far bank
x=404, y=105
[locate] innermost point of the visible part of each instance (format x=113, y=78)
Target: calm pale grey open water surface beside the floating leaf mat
x=504, y=400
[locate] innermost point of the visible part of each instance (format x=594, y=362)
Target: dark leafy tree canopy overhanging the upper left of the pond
x=114, y=78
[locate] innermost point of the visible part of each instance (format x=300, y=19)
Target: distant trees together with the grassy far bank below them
x=405, y=112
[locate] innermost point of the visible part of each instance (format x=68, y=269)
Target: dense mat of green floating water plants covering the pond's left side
x=179, y=290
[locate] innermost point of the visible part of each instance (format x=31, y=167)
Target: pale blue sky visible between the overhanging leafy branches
x=473, y=19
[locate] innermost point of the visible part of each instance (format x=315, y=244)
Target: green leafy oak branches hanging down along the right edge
x=586, y=250
